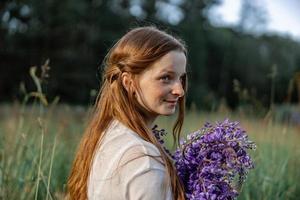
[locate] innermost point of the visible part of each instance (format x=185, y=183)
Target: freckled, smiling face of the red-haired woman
x=161, y=84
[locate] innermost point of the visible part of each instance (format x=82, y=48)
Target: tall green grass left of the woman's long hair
x=36, y=153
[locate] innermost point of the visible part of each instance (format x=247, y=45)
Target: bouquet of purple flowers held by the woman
x=213, y=162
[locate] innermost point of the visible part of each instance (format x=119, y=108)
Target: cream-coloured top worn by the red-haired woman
x=121, y=171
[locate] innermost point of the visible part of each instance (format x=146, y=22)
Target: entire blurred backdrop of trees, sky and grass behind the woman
x=243, y=63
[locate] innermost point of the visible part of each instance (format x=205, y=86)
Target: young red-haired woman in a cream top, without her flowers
x=119, y=156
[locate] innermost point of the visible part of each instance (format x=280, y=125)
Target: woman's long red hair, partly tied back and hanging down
x=133, y=53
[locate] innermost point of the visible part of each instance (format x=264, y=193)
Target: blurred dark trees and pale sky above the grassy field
x=233, y=45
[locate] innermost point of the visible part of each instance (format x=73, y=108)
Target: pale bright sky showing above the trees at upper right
x=283, y=15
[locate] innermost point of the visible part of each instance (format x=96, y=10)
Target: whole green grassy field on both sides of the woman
x=37, y=147
